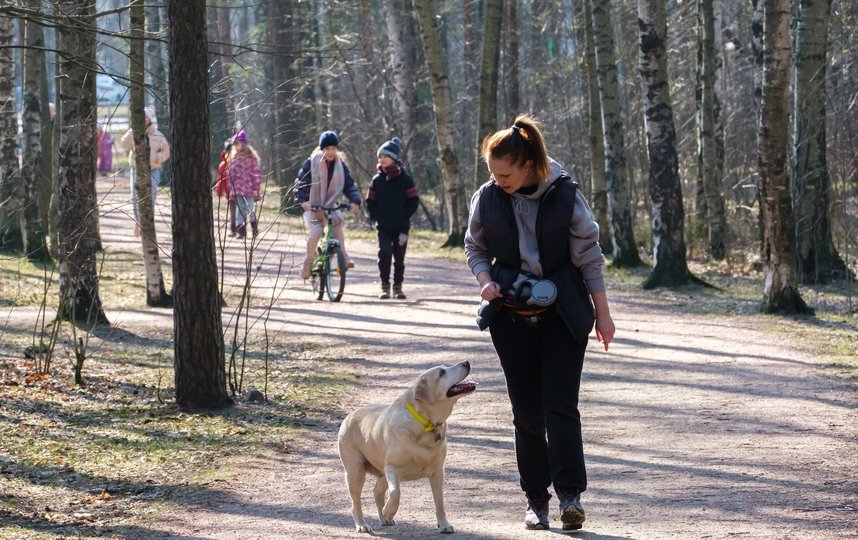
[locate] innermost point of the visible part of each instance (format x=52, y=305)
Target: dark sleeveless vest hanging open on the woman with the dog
x=553, y=219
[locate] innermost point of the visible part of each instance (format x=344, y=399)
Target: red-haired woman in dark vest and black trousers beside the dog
x=533, y=221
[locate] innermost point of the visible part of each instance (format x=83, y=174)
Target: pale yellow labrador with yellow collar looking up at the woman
x=403, y=441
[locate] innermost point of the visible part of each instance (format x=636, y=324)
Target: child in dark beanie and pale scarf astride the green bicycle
x=323, y=179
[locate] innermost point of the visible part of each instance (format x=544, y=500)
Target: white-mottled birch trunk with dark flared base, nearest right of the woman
x=668, y=213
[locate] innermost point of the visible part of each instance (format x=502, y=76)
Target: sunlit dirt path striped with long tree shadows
x=699, y=422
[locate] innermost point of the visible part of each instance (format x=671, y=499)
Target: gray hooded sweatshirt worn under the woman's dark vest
x=585, y=251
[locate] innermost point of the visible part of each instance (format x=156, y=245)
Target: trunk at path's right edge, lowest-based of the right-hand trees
x=781, y=293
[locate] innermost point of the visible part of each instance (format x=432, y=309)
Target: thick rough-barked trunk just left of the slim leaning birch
x=76, y=202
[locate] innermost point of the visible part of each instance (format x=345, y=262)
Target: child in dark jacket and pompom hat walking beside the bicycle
x=391, y=201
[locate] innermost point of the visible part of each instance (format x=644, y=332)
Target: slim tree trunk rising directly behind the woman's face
x=489, y=80
